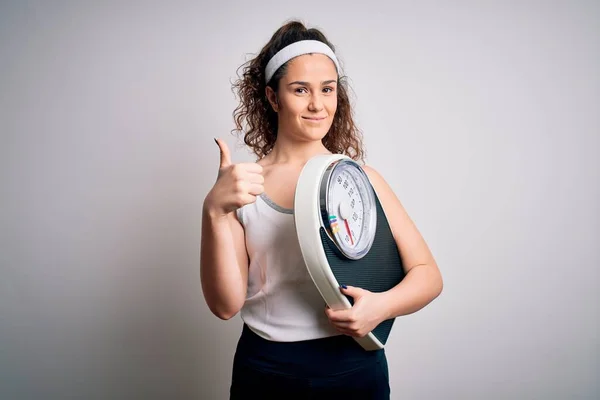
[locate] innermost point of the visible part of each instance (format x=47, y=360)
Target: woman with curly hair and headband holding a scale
x=294, y=105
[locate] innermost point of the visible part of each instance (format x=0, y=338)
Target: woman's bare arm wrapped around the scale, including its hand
x=420, y=286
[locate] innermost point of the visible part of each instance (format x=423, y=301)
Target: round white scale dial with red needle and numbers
x=348, y=208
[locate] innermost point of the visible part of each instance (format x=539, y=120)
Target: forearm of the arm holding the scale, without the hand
x=421, y=285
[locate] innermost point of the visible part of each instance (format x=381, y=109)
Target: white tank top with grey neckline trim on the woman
x=282, y=302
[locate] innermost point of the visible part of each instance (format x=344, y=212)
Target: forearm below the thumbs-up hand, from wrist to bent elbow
x=223, y=283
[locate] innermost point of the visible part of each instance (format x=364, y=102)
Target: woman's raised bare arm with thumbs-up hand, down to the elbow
x=223, y=254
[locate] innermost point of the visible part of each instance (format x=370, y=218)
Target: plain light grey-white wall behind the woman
x=482, y=116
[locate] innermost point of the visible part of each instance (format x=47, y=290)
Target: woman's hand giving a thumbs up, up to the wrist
x=236, y=185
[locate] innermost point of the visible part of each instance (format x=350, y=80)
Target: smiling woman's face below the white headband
x=306, y=100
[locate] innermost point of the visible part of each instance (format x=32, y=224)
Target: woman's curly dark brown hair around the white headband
x=255, y=113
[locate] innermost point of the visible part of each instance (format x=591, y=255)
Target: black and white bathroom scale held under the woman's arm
x=344, y=235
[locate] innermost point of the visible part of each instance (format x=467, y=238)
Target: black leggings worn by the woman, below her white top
x=329, y=368
